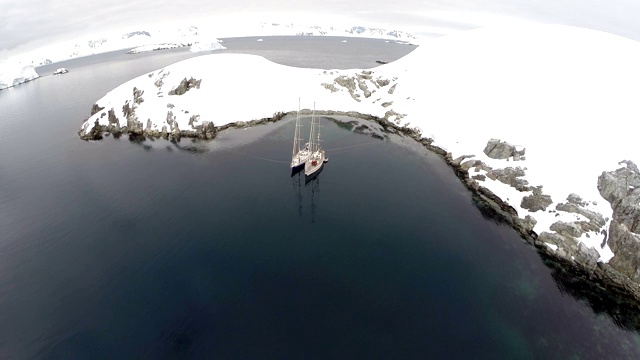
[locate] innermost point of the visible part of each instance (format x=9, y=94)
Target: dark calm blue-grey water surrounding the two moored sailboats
x=117, y=249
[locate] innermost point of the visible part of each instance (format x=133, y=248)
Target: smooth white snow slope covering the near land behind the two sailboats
x=567, y=95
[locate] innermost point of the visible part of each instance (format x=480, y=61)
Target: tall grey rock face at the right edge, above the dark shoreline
x=621, y=188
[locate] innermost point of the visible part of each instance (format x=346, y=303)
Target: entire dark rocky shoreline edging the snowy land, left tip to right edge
x=616, y=283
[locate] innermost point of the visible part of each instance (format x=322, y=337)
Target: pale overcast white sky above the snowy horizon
x=29, y=24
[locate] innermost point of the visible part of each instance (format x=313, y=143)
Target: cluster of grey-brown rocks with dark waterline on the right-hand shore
x=615, y=283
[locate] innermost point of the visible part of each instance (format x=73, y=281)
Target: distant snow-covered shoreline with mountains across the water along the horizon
x=198, y=38
